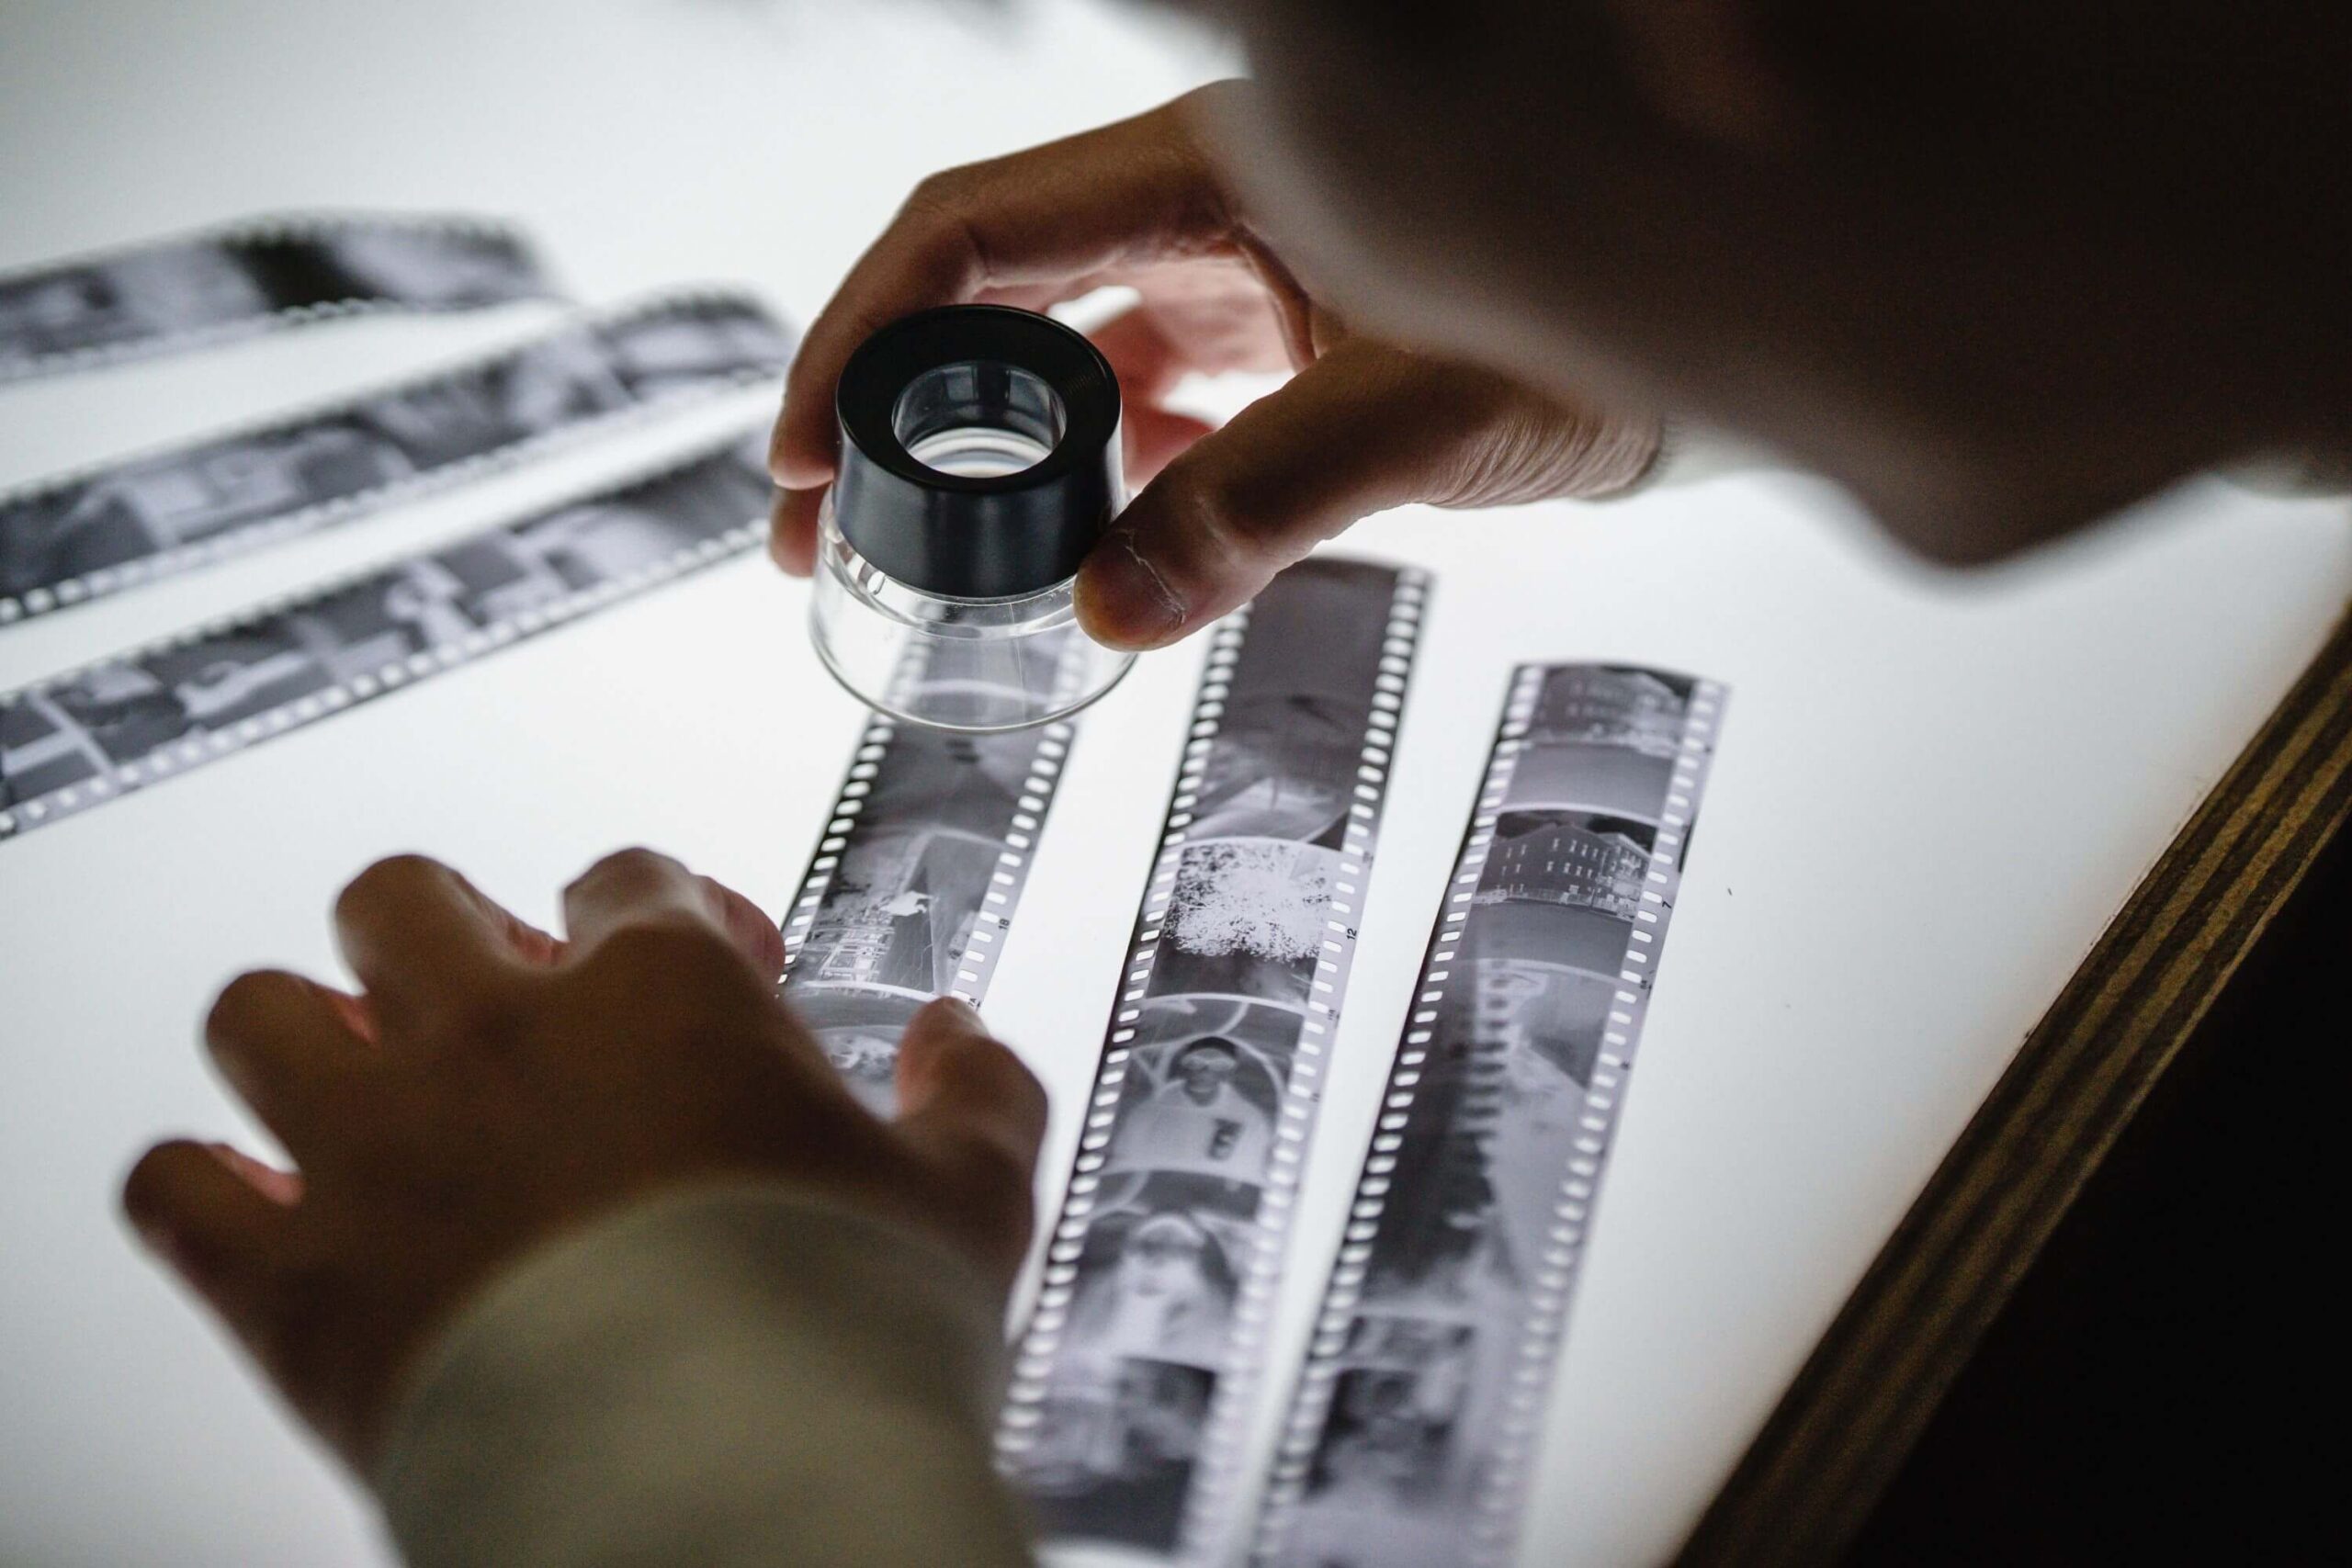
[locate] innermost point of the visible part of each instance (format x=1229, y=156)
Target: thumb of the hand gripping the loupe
x=1363, y=429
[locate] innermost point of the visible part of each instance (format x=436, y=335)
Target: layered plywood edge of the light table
x=1876, y=1379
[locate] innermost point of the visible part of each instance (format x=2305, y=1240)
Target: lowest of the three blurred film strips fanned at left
x=128, y=723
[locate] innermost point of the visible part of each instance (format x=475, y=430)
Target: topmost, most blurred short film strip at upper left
x=253, y=276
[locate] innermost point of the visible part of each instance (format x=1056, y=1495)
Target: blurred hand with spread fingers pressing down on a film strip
x=493, y=1087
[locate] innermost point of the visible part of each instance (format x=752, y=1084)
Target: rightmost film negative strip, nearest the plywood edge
x=1410, y=1435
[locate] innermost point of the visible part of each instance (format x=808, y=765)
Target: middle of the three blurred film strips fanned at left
x=86, y=535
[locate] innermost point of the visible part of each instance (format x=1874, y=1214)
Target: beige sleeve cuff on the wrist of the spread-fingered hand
x=716, y=1379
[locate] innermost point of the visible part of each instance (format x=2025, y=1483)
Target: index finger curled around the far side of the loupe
x=1083, y=208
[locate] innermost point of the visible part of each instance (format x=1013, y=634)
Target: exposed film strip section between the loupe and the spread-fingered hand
x=933, y=864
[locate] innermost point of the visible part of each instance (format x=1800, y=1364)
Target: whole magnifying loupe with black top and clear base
x=980, y=467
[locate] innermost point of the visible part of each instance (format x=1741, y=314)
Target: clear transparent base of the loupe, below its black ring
x=951, y=664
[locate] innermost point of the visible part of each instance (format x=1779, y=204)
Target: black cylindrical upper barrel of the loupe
x=980, y=453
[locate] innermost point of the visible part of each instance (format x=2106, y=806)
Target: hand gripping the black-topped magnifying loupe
x=1358, y=429
